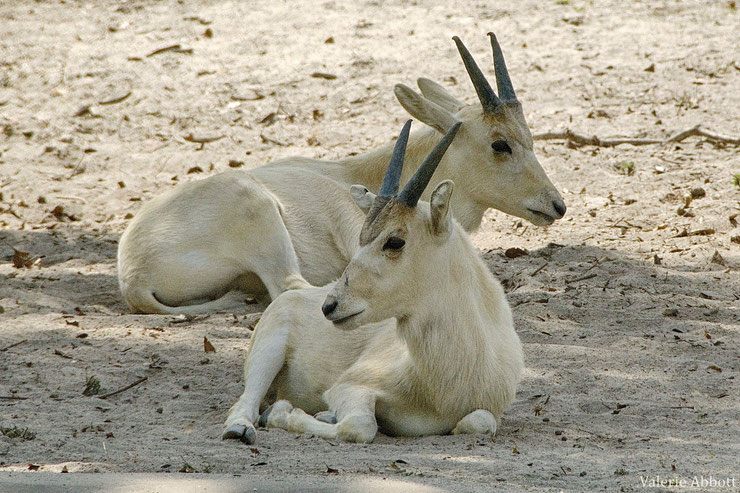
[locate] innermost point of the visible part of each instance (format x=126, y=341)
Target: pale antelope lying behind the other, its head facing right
x=277, y=226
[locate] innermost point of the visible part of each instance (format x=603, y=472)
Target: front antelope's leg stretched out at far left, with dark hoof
x=262, y=364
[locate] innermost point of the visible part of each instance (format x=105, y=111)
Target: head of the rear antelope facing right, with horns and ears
x=493, y=159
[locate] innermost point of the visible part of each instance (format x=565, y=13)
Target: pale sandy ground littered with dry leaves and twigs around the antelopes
x=629, y=312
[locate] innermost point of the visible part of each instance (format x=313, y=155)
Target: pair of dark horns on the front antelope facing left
x=415, y=187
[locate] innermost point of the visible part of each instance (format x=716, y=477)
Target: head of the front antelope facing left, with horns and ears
x=399, y=240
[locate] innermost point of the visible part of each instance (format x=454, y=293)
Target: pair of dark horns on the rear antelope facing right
x=487, y=97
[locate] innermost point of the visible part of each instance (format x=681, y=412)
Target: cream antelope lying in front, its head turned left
x=448, y=361
